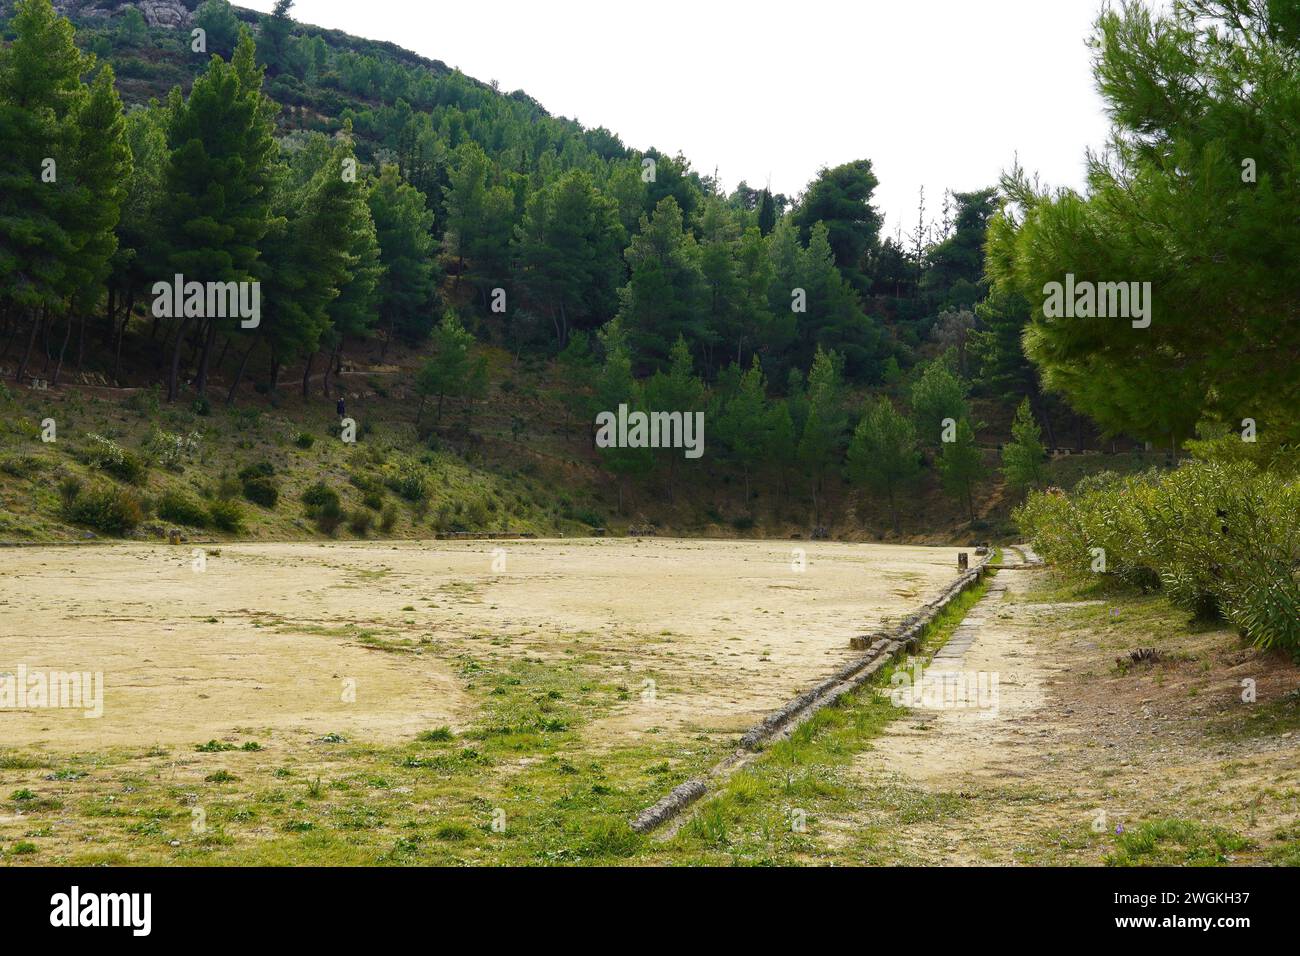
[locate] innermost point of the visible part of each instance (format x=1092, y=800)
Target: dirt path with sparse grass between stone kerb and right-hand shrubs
x=1076, y=750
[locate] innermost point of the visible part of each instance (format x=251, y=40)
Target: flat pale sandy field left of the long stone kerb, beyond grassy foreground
x=279, y=637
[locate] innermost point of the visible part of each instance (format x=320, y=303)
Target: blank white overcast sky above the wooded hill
x=941, y=94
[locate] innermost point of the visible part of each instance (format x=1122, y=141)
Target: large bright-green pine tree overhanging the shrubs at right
x=1197, y=196
